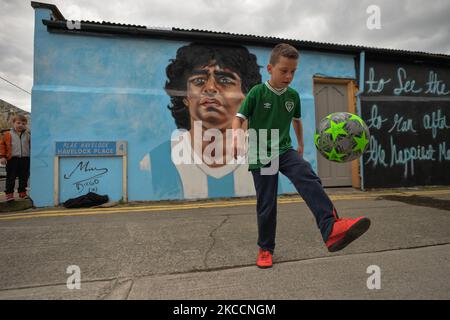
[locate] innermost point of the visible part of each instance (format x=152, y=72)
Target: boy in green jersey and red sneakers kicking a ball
x=274, y=105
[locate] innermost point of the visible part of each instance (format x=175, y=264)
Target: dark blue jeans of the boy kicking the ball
x=308, y=185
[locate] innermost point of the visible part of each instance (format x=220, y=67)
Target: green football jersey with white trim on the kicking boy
x=267, y=109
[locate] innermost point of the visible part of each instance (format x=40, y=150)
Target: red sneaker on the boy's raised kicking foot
x=345, y=231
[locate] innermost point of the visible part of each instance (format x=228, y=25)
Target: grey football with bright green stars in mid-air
x=342, y=137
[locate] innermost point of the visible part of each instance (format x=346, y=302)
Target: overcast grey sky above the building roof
x=405, y=24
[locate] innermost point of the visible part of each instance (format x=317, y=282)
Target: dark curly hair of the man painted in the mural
x=195, y=55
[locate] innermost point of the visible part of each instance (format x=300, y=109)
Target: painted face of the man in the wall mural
x=214, y=95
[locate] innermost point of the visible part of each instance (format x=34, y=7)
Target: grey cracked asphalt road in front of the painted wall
x=207, y=250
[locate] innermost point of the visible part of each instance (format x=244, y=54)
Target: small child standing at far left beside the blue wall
x=15, y=154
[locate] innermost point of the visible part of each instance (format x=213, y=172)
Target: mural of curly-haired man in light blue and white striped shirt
x=205, y=83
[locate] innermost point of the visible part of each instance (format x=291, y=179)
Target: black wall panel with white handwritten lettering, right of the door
x=407, y=109
